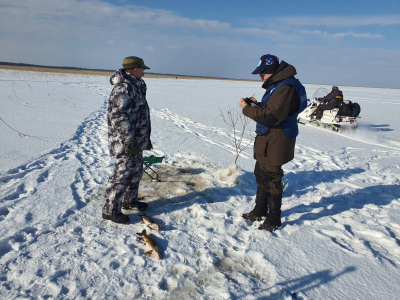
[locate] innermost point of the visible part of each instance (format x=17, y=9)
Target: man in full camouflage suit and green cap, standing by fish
x=128, y=135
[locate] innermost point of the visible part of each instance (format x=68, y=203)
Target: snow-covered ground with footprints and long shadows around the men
x=340, y=237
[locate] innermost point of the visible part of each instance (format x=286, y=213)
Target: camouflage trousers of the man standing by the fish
x=123, y=184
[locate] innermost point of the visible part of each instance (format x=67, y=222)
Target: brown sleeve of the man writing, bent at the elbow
x=277, y=108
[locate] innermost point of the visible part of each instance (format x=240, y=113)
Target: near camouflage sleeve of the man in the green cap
x=120, y=107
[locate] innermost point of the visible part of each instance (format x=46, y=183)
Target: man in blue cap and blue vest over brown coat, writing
x=276, y=129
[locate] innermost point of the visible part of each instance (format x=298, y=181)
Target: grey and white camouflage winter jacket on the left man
x=128, y=113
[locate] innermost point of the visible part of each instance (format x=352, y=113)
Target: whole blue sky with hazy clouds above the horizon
x=340, y=43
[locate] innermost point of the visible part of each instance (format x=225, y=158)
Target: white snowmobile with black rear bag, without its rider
x=337, y=118
